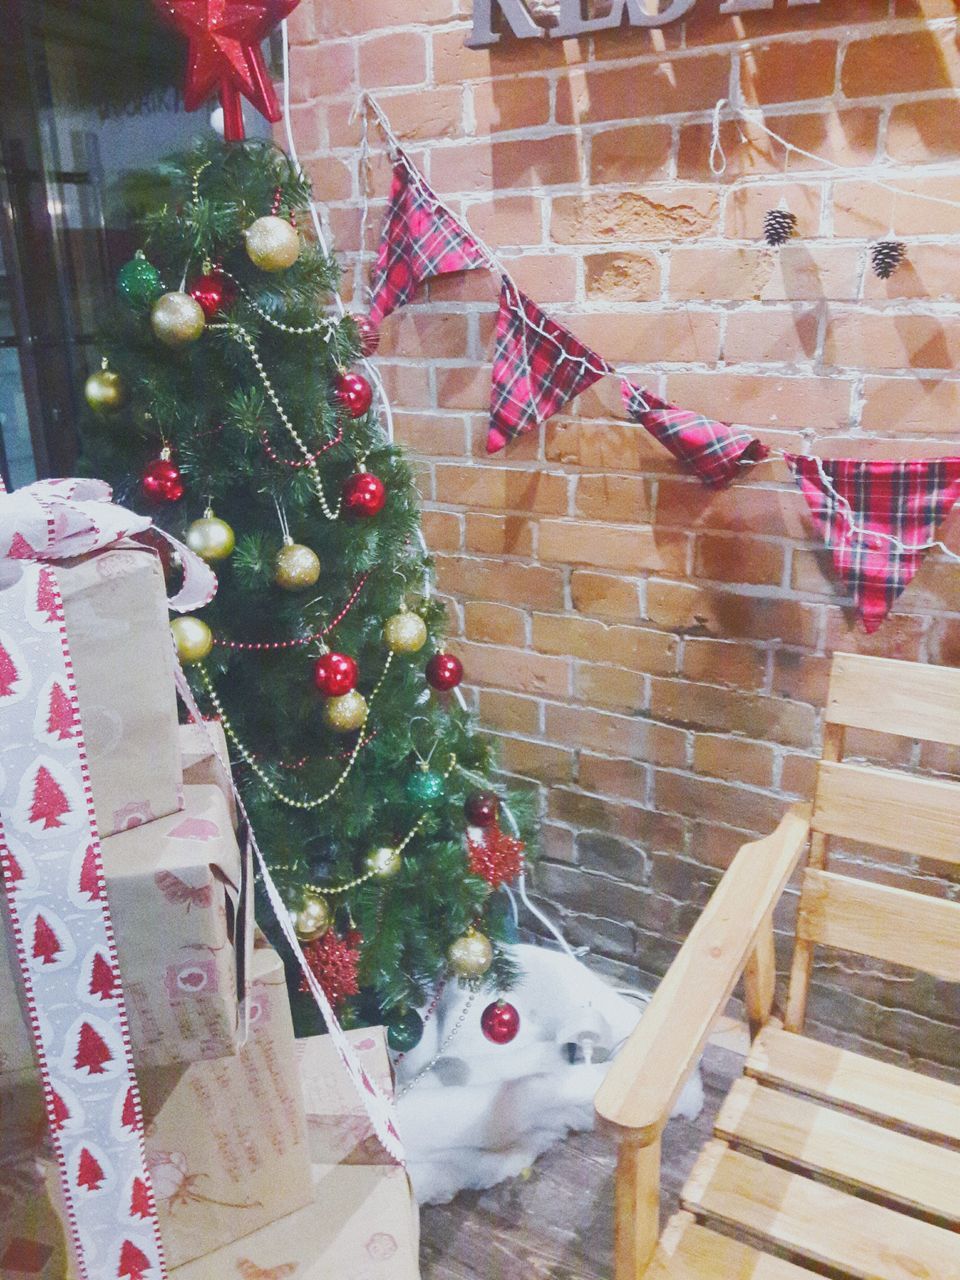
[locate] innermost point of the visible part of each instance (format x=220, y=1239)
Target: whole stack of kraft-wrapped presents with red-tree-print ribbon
x=235, y=1163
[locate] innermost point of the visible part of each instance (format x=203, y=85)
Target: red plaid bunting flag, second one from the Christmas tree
x=538, y=367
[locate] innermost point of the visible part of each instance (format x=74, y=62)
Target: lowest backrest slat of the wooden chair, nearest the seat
x=883, y=922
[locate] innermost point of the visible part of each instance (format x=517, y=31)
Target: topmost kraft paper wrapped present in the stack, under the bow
x=120, y=636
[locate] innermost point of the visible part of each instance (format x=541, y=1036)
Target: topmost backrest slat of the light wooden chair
x=911, y=700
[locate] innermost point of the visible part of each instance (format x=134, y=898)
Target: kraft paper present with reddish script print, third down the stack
x=227, y=1149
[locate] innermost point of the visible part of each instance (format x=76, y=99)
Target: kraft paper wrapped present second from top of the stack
x=181, y=897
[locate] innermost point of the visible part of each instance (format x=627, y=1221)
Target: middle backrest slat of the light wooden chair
x=892, y=810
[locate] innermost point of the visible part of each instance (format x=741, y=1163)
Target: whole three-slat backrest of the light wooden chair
x=889, y=810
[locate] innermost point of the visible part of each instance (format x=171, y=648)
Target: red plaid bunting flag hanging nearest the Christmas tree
x=419, y=240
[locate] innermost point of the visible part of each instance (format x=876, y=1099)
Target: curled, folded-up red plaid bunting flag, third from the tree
x=714, y=451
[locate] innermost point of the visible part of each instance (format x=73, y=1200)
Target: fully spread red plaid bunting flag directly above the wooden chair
x=862, y=506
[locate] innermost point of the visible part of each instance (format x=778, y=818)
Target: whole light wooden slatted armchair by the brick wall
x=825, y=1162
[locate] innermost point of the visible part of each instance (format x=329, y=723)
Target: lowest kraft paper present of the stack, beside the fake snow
x=363, y=1223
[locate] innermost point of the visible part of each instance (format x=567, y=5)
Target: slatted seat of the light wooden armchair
x=860, y=1177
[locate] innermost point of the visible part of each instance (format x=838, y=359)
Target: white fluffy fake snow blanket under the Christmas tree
x=487, y=1112
